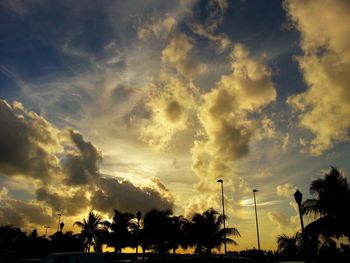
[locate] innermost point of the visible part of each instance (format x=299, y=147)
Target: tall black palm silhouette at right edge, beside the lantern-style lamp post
x=331, y=204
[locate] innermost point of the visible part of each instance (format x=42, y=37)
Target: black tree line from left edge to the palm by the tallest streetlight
x=158, y=232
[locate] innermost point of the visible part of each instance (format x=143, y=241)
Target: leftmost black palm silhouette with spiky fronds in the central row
x=91, y=230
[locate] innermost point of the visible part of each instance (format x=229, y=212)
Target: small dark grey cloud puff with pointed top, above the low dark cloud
x=81, y=165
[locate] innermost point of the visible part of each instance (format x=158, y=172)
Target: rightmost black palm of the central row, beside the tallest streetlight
x=207, y=232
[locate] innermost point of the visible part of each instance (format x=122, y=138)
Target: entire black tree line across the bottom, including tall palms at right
x=161, y=233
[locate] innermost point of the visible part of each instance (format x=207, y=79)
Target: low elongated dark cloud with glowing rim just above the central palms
x=125, y=196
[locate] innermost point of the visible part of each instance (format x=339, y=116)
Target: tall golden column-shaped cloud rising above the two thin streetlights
x=223, y=115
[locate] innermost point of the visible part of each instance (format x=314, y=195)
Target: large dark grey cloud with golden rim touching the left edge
x=27, y=142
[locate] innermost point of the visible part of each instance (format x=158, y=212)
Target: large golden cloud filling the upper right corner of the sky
x=325, y=40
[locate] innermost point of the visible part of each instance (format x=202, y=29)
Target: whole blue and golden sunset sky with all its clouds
x=134, y=105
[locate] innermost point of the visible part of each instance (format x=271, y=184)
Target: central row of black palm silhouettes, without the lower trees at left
x=158, y=231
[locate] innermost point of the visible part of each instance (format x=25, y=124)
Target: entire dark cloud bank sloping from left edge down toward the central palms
x=30, y=147
